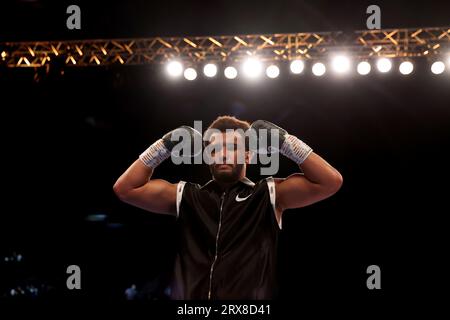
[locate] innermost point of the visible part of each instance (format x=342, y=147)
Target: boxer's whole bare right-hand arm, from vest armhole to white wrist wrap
x=318, y=181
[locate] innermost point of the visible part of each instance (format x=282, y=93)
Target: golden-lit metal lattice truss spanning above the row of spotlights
x=365, y=44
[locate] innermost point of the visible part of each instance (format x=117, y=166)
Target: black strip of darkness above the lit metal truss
x=40, y=19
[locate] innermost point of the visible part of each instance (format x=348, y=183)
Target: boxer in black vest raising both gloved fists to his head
x=228, y=228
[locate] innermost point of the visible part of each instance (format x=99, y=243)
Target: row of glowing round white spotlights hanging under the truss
x=252, y=68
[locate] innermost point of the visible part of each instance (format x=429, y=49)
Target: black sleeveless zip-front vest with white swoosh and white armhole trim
x=227, y=245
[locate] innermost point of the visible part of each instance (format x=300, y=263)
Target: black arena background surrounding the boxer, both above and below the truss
x=66, y=139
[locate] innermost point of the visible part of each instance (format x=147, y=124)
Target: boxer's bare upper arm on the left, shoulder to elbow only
x=156, y=195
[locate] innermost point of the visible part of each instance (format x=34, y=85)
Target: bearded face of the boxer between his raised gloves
x=229, y=156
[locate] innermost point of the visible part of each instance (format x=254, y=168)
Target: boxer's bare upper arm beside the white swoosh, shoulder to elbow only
x=297, y=191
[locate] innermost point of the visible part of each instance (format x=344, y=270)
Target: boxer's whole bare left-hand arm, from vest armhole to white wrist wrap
x=135, y=187
